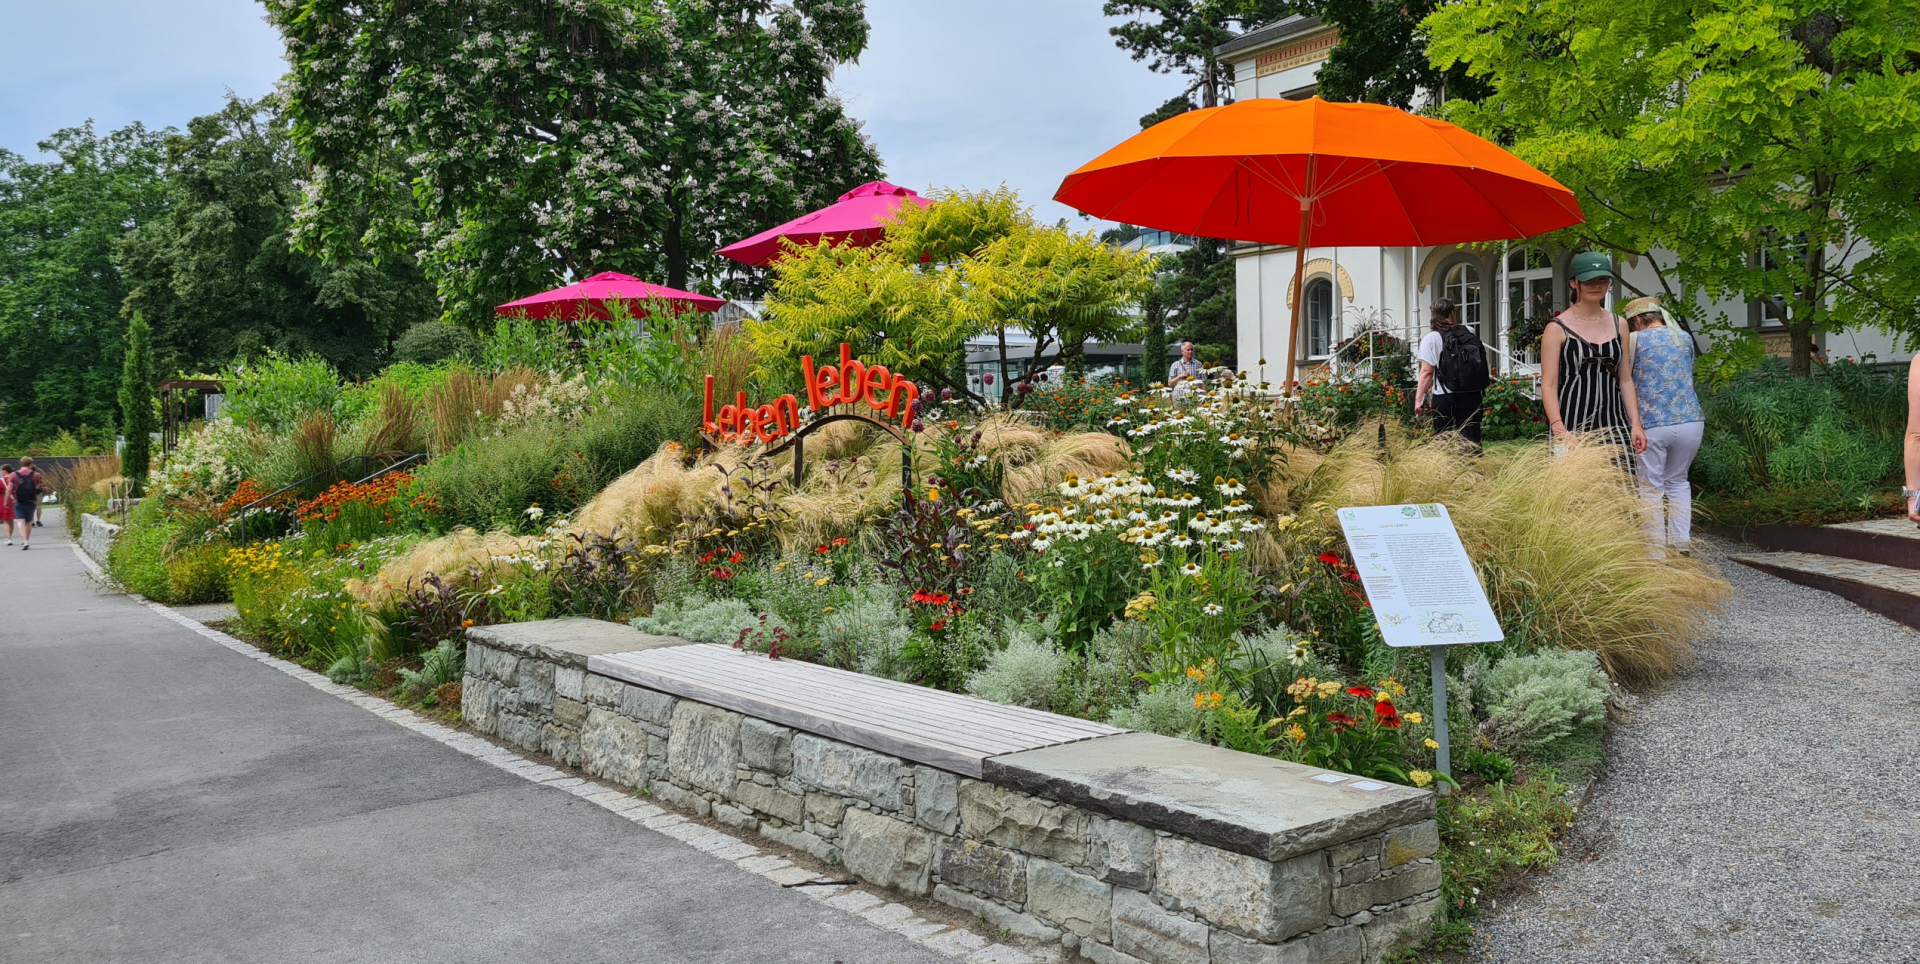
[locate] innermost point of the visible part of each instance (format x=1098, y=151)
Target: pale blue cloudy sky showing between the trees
x=955, y=95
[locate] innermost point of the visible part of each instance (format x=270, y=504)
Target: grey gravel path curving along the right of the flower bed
x=1764, y=807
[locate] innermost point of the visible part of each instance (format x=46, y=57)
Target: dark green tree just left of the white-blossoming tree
x=218, y=279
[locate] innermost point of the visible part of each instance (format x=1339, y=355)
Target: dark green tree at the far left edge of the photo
x=62, y=333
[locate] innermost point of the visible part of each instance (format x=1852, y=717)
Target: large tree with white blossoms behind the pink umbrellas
x=567, y=137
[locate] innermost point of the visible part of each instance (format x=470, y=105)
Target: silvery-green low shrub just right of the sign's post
x=1537, y=700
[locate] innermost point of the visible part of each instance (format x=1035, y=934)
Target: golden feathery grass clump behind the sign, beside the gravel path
x=1558, y=541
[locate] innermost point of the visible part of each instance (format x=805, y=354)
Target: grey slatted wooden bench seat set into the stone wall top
x=948, y=731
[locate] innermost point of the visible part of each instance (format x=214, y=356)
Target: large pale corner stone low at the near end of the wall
x=1262, y=900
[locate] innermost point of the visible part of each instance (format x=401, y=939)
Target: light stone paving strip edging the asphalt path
x=871, y=907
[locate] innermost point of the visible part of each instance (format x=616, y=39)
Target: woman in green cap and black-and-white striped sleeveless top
x=1583, y=383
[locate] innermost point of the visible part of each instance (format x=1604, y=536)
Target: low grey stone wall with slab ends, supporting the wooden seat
x=1111, y=846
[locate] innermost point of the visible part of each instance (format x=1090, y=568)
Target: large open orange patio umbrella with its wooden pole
x=1312, y=172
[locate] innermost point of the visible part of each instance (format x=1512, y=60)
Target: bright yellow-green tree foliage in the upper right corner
x=1771, y=145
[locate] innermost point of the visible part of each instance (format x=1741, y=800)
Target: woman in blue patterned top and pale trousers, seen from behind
x=1660, y=360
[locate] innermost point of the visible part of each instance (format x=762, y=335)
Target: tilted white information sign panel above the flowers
x=1420, y=581
